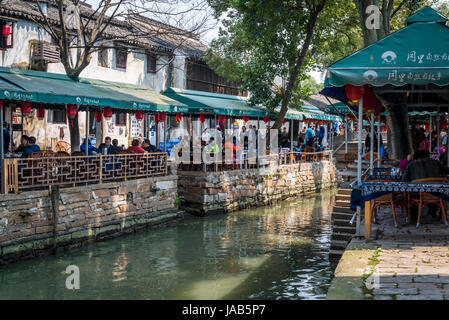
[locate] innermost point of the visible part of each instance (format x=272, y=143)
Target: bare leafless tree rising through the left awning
x=79, y=30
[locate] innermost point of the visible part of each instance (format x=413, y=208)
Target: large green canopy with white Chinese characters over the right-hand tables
x=416, y=54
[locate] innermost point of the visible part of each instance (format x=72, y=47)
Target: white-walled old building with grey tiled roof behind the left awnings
x=157, y=63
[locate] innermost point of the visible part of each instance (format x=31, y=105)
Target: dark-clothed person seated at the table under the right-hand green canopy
x=423, y=167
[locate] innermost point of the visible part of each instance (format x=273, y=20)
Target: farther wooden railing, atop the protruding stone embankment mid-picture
x=246, y=162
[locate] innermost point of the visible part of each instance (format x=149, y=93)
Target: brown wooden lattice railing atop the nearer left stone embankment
x=42, y=172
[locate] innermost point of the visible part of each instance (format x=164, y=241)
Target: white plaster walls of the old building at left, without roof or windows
x=135, y=73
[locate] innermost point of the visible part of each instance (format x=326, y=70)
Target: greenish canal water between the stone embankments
x=274, y=252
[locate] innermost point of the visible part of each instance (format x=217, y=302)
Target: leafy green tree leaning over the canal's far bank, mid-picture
x=268, y=45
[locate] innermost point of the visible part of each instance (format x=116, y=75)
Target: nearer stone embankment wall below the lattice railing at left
x=28, y=227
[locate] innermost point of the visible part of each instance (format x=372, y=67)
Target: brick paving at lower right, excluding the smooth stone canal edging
x=412, y=263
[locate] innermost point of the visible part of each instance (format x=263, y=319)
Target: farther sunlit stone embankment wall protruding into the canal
x=214, y=192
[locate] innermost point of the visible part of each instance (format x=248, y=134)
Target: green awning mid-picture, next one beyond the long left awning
x=206, y=102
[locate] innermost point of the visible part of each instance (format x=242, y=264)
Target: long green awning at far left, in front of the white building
x=51, y=88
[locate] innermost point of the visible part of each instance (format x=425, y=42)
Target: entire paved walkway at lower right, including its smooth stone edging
x=402, y=263
